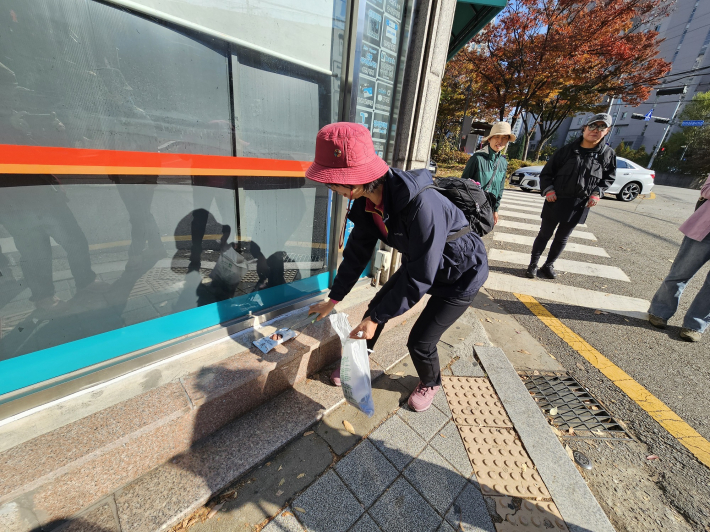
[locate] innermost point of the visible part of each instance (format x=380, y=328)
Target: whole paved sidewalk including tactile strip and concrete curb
x=462, y=465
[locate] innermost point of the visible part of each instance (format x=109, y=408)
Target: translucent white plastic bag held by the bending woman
x=354, y=367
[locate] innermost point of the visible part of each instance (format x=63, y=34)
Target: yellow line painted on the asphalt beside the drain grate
x=669, y=420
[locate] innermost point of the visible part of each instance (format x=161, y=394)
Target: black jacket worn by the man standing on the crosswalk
x=574, y=174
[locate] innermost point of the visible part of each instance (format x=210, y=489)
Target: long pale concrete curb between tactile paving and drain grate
x=570, y=492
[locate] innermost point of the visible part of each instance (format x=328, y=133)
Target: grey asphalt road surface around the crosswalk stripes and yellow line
x=642, y=239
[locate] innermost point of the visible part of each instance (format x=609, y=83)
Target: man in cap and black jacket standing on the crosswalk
x=572, y=181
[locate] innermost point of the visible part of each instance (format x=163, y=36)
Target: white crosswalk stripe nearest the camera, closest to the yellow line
x=569, y=295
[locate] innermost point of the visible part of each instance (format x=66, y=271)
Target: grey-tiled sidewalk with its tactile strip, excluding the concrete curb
x=415, y=472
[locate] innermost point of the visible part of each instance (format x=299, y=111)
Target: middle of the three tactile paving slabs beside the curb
x=501, y=464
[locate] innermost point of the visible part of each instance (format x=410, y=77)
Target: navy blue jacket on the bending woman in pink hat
x=417, y=228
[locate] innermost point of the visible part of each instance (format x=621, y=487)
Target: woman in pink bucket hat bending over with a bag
x=441, y=256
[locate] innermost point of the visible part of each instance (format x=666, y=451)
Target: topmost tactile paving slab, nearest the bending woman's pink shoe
x=474, y=402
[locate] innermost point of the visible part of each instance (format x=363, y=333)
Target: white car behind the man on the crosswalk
x=631, y=179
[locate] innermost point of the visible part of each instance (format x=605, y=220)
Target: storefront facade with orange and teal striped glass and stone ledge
x=153, y=200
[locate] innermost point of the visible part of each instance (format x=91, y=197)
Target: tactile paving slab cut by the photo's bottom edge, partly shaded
x=519, y=514
